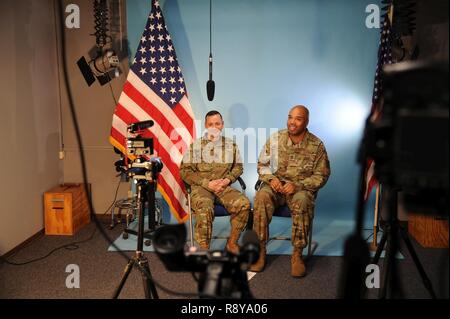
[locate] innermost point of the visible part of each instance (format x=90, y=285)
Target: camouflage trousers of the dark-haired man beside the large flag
x=202, y=204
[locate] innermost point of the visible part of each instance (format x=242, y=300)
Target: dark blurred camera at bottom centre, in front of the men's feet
x=222, y=275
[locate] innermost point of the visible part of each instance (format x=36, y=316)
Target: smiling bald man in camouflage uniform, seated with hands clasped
x=292, y=166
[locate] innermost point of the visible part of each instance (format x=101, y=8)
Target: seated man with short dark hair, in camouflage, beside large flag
x=210, y=167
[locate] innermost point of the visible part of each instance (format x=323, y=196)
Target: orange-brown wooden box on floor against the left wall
x=66, y=209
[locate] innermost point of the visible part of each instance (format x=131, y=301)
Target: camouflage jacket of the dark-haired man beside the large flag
x=207, y=161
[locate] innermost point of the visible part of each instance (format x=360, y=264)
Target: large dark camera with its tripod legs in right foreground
x=409, y=144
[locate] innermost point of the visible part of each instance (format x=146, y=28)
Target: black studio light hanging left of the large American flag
x=104, y=65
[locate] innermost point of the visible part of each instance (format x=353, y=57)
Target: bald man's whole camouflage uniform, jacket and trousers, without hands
x=307, y=166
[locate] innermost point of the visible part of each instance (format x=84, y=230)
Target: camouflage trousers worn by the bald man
x=301, y=206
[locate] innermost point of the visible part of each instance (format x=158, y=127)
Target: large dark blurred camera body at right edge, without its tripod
x=409, y=143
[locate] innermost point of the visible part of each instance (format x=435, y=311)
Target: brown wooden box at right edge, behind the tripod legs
x=429, y=231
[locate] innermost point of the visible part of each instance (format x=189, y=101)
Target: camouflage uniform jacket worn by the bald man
x=305, y=164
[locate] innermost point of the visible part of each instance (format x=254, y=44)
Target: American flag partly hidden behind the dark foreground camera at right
x=384, y=58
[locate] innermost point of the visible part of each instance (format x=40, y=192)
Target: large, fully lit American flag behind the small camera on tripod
x=155, y=90
